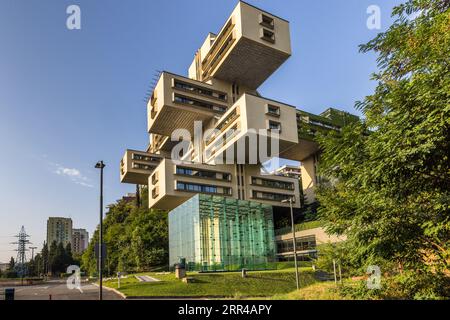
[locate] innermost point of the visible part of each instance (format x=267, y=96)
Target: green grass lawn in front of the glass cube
x=226, y=284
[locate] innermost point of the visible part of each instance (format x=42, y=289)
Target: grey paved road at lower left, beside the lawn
x=59, y=291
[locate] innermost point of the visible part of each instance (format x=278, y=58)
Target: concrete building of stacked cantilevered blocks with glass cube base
x=222, y=203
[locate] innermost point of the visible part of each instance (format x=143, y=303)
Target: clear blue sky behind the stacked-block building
x=71, y=97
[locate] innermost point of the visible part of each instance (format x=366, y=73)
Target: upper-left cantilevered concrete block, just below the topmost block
x=178, y=102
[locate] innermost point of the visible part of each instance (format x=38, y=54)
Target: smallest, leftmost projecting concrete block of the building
x=136, y=166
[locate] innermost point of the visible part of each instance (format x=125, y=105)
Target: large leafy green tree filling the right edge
x=388, y=177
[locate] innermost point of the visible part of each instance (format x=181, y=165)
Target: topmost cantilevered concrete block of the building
x=249, y=48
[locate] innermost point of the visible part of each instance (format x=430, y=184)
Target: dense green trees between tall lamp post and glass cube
x=136, y=239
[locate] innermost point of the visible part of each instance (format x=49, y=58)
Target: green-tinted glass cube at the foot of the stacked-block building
x=216, y=233
